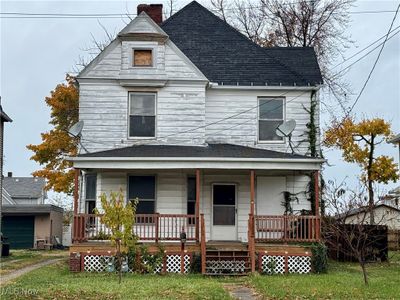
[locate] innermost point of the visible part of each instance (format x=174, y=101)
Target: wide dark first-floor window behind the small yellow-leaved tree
x=143, y=188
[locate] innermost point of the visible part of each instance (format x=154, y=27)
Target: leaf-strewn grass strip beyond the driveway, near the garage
x=22, y=258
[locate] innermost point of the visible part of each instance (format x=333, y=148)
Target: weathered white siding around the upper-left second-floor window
x=104, y=110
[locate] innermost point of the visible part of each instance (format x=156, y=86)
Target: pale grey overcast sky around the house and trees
x=36, y=54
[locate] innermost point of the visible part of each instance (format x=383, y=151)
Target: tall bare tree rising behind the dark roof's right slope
x=319, y=23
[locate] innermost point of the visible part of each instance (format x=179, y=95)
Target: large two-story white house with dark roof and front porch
x=182, y=115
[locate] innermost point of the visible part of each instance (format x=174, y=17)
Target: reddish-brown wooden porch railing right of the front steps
x=287, y=228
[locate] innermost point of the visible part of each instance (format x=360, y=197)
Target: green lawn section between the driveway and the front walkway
x=56, y=282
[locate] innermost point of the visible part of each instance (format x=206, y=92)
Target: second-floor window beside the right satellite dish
x=270, y=116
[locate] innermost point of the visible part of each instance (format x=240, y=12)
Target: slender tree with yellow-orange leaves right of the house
x=358, y=142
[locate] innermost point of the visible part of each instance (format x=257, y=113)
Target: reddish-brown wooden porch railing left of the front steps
x=155, y=227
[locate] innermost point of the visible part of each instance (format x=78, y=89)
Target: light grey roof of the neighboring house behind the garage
x=24, y=187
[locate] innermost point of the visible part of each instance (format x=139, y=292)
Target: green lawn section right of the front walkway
x=343, y=281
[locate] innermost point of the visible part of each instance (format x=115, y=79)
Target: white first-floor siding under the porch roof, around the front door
x=171, y=192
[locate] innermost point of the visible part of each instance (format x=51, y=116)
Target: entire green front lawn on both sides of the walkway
x=344, y=281
